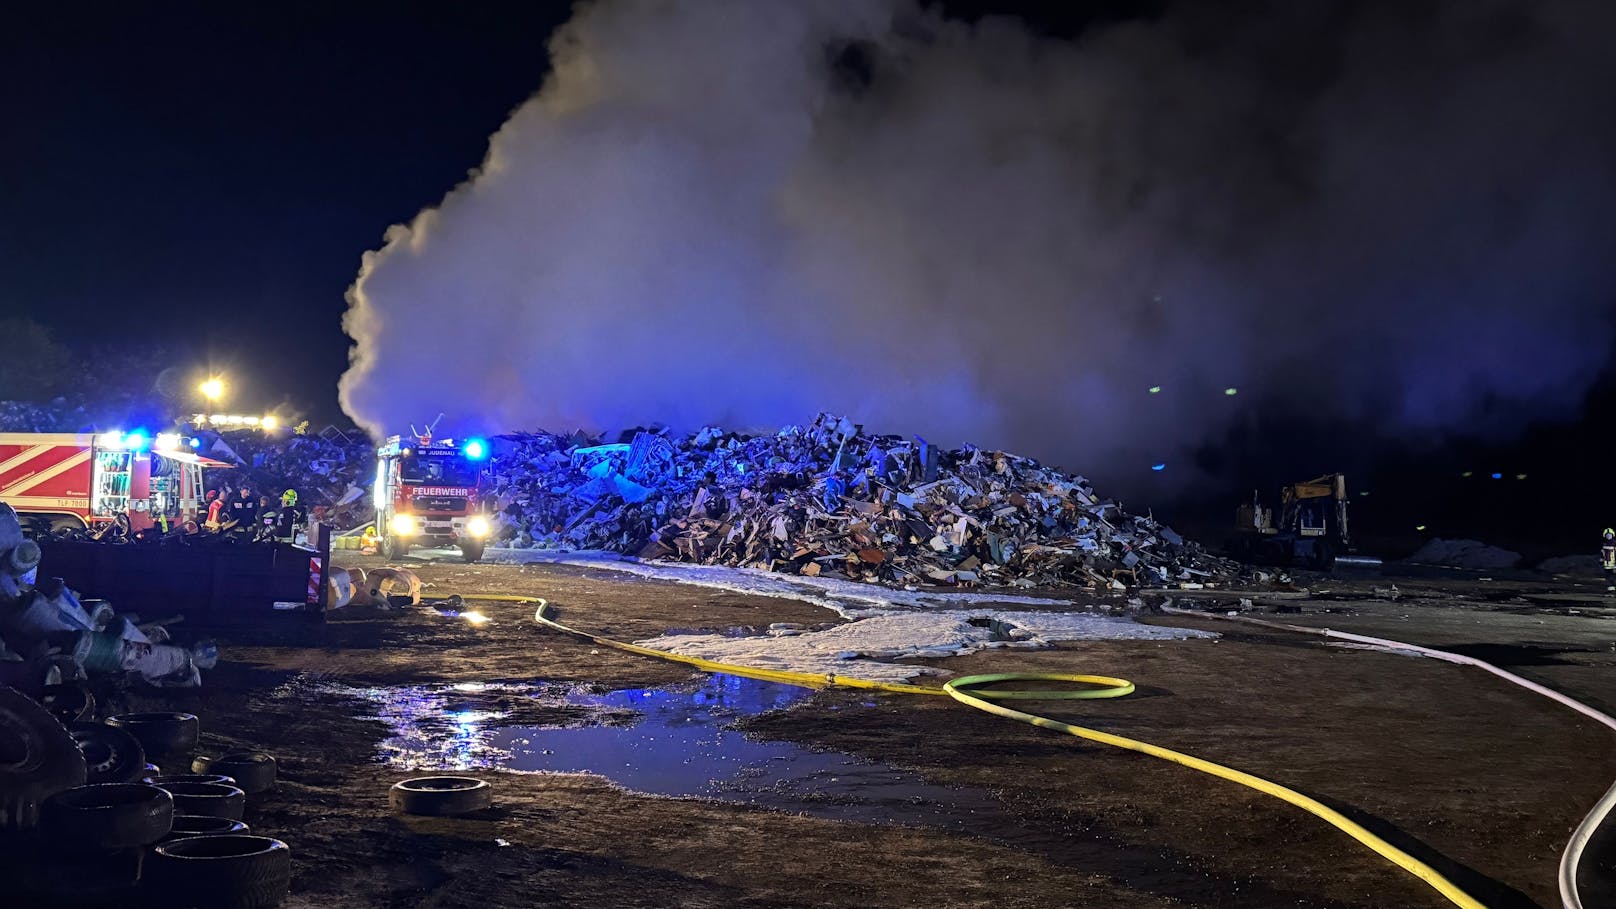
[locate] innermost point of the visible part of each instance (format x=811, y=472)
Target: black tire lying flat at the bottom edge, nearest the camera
x=221, y=873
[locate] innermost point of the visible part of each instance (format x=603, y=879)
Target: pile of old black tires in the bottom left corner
x=90, y=821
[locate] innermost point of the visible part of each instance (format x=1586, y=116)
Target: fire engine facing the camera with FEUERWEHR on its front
x=427, y=496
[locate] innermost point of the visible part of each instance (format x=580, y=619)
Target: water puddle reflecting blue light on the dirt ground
x=668, y=742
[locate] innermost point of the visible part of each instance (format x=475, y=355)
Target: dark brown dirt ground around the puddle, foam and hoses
x=1481, y=779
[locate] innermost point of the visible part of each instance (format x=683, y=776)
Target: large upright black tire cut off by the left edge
x=38, y=759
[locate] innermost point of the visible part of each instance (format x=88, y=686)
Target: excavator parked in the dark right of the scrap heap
x=1310, y=531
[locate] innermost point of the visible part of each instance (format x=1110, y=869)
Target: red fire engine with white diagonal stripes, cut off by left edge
x=62, y=480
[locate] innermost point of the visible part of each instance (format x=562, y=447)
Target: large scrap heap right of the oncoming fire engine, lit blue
x=833, y=501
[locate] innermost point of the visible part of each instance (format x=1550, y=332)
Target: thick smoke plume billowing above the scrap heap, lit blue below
x=1387, y=216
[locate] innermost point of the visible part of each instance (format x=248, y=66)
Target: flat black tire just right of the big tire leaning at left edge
x=109, y=816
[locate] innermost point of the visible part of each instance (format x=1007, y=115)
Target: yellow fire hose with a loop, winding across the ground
x=970, y=691
